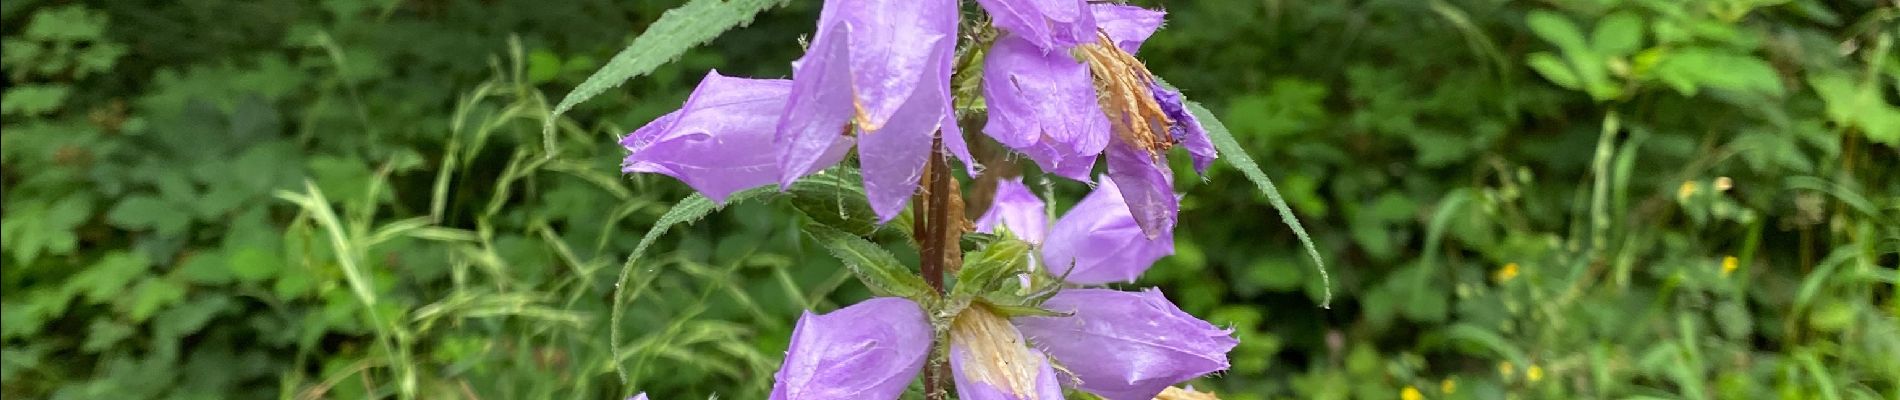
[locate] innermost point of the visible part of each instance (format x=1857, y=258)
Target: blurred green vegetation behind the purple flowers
x=1517, y=198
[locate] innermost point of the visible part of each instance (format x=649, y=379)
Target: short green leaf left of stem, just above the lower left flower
x=875, y=266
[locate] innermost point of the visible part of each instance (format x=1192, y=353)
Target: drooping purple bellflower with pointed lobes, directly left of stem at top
x=884, y=69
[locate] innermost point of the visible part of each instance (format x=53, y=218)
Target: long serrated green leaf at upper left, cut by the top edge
x=666, y=41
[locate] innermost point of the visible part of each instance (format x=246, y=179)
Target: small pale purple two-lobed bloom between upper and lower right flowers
x=1095, y=244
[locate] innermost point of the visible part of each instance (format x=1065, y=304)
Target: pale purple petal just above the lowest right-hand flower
x=1101, y=242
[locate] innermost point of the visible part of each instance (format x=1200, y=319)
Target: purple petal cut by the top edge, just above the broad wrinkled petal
x=1052, y=26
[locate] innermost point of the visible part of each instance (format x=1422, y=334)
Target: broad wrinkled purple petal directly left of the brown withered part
x=1044, y=105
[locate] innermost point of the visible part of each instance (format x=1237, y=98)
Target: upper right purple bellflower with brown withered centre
x=1065, y=101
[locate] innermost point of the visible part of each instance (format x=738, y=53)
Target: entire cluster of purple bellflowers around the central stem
x=1063, y=88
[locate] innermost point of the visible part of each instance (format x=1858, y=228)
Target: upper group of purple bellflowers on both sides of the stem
x=1061, y=88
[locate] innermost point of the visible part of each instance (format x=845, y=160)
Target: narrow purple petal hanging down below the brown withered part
x=1147, y=185
